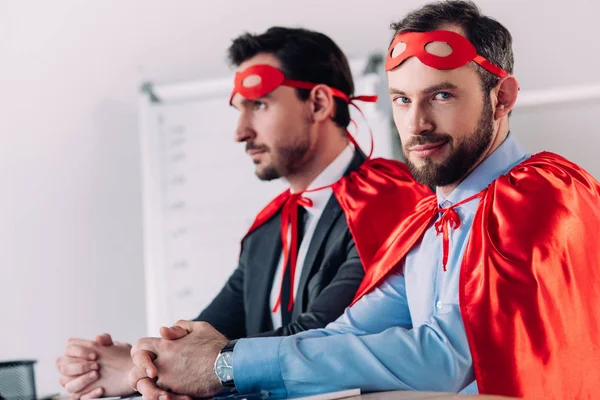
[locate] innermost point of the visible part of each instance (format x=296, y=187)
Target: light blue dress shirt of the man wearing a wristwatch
x=407, y=334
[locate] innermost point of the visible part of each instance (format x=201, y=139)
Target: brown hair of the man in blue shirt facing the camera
x=491, y=39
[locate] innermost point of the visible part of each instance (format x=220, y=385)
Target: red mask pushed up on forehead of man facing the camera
x=437, y=49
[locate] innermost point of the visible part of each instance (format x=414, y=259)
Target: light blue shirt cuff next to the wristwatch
x=256, y=366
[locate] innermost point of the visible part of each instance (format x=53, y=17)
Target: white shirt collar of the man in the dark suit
x=331, y=174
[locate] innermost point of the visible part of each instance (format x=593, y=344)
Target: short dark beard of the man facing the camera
x=460, y=161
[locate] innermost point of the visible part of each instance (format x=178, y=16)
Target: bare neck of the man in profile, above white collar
x=329, y=144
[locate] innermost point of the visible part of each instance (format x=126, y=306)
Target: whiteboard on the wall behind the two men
x=200, y=194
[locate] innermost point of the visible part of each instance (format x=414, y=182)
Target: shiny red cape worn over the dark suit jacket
x=380, y=190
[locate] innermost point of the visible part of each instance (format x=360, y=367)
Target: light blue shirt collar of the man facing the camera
x=502, y=160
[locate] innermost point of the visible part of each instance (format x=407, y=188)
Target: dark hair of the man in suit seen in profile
x=304, y=55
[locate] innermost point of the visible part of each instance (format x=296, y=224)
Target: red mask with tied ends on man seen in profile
x=259, y=80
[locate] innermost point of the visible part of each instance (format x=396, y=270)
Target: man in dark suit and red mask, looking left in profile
x=293, y=91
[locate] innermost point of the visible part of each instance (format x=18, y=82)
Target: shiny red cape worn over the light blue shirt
x=530, y=280
